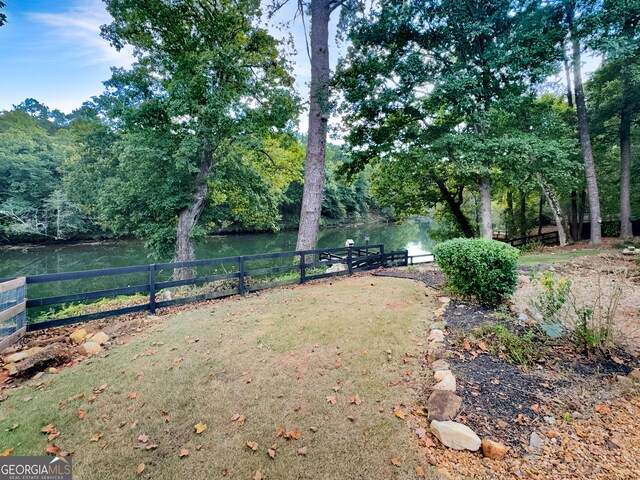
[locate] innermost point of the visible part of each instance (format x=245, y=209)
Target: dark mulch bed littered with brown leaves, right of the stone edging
x=507, y=401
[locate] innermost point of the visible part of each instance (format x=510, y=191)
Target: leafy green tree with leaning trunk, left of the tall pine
x=207, y=79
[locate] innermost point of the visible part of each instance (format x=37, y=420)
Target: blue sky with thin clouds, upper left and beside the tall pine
x=51, y=50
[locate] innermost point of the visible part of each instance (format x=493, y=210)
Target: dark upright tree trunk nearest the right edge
x=626, y=229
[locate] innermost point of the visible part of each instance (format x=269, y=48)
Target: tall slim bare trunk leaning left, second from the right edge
x=585, y=142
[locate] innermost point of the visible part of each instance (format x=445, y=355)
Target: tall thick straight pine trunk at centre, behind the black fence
x=317, y=135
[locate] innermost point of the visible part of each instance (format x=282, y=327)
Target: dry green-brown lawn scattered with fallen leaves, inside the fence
x=273, y=358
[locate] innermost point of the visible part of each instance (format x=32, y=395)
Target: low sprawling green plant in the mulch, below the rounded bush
x=500, y=340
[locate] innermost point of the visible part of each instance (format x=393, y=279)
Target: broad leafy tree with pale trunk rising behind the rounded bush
x=425, y=75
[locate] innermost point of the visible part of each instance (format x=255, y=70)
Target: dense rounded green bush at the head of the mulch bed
x=482, y=268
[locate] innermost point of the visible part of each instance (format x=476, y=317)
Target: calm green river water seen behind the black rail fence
x=15, y=261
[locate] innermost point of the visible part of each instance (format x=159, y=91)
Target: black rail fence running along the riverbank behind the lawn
x=214, y=278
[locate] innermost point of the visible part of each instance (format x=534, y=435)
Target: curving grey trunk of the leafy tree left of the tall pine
x=188, y=217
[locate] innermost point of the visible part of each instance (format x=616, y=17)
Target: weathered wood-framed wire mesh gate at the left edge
x=13, y=316
